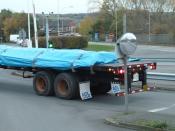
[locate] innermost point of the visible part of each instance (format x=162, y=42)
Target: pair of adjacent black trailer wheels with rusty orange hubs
x=64, y=85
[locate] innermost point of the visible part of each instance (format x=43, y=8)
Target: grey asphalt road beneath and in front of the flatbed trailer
x=22, y=110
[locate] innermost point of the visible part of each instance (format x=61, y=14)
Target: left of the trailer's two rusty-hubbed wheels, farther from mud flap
x=43, y=83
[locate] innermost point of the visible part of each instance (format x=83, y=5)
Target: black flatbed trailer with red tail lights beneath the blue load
x=65, y=84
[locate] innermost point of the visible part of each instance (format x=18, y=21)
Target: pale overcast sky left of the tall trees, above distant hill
x=65, y=6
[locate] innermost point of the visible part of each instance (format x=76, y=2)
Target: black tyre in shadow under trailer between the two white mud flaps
x=100, y=88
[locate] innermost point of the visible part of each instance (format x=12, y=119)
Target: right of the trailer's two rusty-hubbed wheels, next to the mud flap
x=66, y=86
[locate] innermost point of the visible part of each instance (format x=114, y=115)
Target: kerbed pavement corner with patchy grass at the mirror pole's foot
x=142, y=121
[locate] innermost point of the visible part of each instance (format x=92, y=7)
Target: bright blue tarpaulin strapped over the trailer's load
x=61, y=59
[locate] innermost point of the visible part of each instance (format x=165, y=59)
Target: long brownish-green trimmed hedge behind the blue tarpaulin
x=68, y=42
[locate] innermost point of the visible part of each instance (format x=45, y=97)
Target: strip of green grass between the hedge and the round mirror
x=100, y=47
